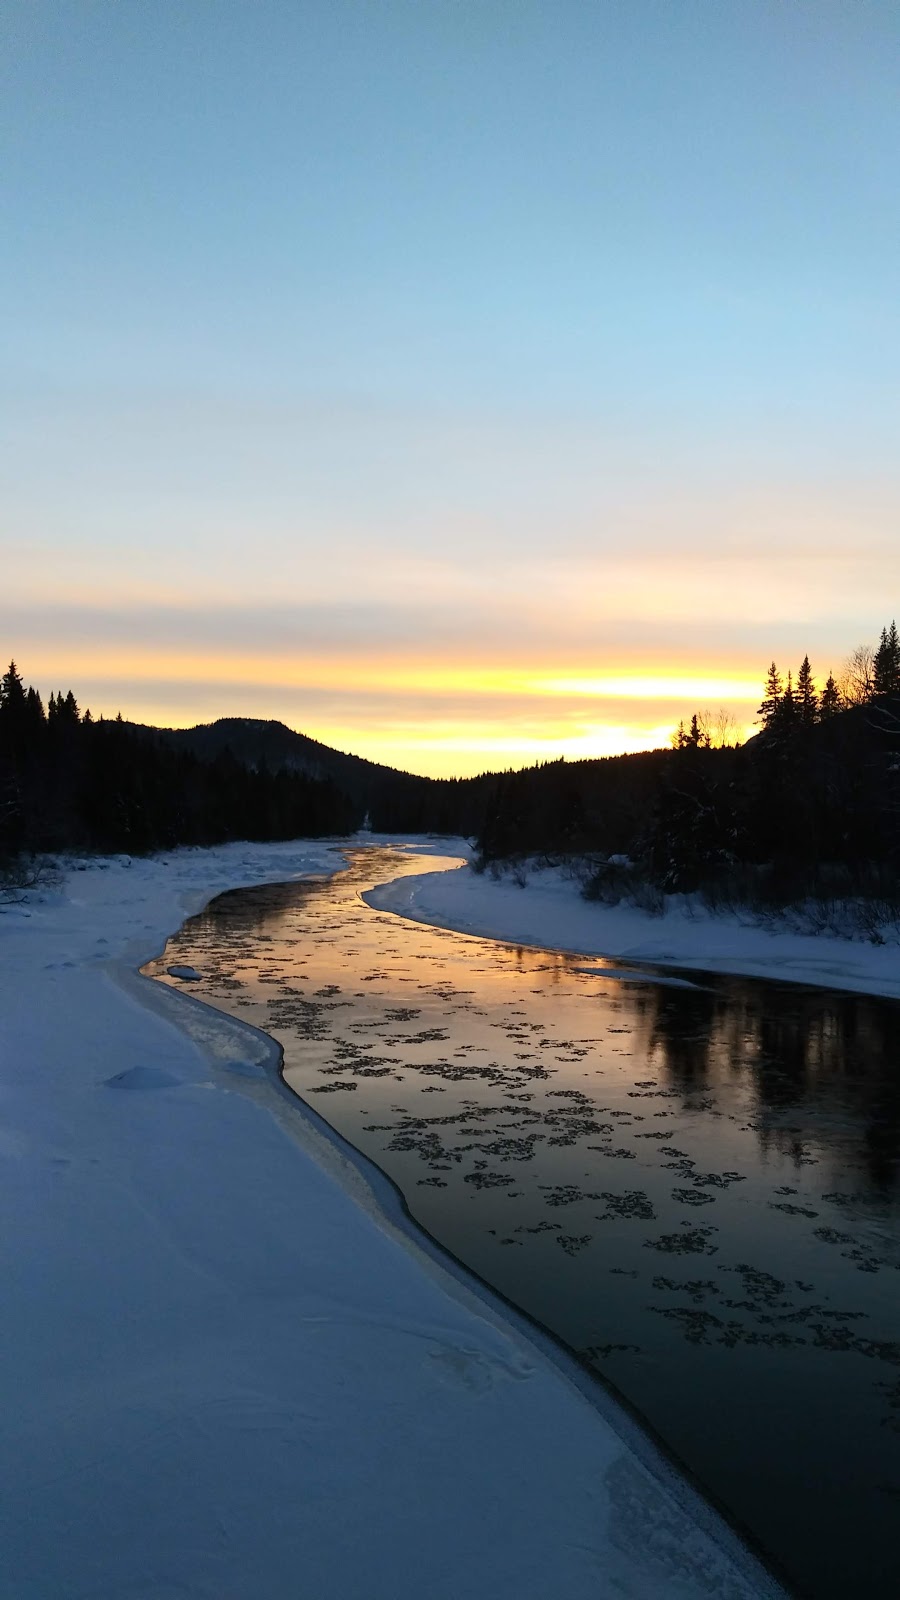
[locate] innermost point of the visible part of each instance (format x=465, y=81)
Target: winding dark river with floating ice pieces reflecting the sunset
x=694, y=1186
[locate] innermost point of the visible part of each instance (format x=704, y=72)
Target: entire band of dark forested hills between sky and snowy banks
x=808, y=807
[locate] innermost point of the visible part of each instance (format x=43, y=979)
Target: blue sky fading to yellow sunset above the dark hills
x=465, y=383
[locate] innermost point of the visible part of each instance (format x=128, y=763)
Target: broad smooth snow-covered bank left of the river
x=231, y=1370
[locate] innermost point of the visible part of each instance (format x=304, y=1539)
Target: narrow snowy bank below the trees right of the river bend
x=548, y=911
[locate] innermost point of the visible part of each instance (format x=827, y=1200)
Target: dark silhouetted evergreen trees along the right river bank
x=808, y=810
